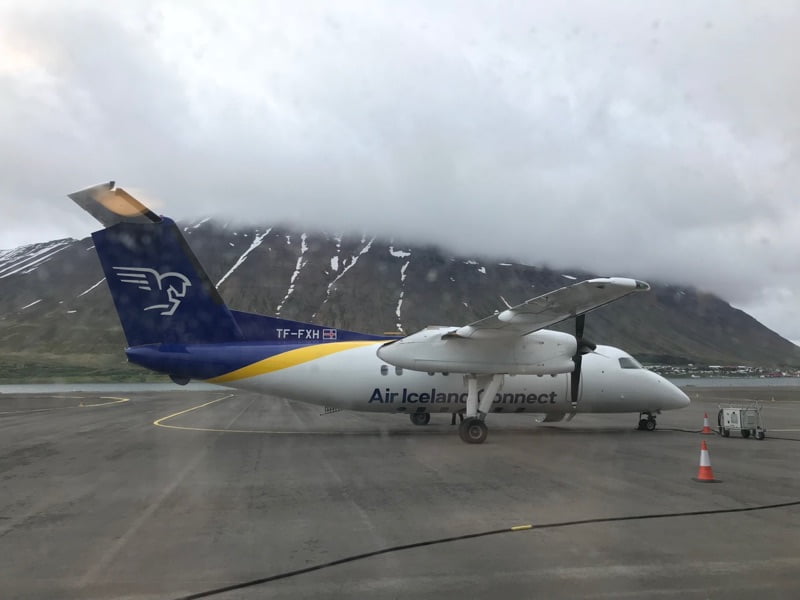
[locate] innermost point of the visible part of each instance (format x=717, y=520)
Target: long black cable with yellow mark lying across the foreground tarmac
x=469, y=536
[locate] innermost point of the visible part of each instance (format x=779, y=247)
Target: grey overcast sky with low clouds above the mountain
x=652, y=139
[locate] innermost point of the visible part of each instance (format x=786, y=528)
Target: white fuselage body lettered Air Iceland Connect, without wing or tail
x=356, y=379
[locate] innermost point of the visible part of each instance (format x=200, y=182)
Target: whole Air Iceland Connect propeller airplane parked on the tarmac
x=175, y=322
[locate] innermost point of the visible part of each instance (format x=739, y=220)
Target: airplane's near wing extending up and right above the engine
x=550, y=308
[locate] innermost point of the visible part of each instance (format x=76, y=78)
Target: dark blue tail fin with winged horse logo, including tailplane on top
x=160, y=290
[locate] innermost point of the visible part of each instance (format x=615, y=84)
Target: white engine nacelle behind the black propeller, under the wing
x=542, y=352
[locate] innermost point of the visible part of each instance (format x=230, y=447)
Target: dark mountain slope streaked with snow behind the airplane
x=56, y=312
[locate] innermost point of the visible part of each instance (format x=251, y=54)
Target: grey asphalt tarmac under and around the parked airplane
x=180, y=494
